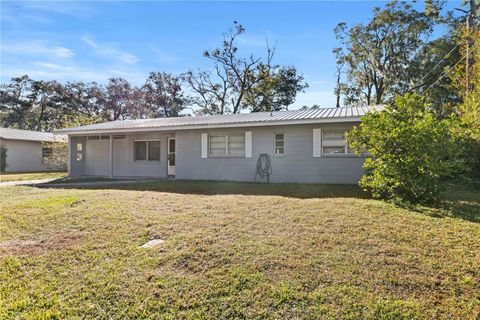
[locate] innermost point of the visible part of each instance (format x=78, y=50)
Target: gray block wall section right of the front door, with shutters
x=297, y=165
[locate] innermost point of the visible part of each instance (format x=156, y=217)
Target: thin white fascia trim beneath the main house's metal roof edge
x=213, y=126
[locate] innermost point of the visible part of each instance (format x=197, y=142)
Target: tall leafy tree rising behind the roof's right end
x=378, y=55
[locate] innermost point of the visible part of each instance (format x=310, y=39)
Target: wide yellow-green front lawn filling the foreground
x=235, y=250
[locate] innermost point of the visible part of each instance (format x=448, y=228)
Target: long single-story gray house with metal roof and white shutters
x=305, y=146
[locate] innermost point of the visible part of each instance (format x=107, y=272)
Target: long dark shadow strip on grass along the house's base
x=302, y=191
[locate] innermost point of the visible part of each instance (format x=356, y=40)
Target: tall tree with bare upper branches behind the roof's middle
x=242, y=82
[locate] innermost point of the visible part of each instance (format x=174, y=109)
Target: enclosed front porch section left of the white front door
x=149, y=155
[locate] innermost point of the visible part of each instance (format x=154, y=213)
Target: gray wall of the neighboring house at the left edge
x=23, y=156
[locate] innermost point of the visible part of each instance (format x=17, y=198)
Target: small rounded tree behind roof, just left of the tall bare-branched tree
x=163, y=95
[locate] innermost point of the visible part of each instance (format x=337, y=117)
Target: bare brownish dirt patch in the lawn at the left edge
x=34, y=247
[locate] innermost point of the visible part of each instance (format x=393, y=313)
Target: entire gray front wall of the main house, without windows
x=297, y=165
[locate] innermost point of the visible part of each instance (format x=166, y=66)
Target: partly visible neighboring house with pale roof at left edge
x=25, y=150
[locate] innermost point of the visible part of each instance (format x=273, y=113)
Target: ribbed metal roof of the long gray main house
x=343, y=114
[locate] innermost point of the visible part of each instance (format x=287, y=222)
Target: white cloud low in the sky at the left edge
x=37, y=48
